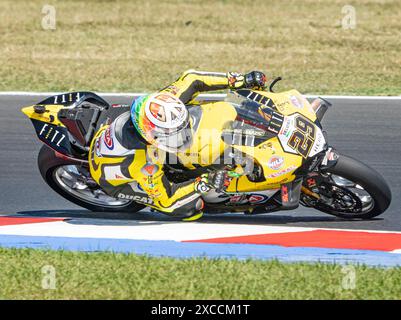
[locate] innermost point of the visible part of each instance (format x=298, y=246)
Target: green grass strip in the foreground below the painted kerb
x=122, y=276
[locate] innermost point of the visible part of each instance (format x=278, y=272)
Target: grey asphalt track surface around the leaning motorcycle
x=369, y=130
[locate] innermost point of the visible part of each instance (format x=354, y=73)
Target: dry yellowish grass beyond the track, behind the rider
x=144, y=45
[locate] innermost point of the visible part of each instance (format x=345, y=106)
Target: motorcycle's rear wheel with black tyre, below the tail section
x=73, y=182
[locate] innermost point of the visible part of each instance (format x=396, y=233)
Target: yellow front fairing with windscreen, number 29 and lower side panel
x=291, y=129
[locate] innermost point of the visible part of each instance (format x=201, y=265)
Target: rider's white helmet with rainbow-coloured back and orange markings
x=163, y=120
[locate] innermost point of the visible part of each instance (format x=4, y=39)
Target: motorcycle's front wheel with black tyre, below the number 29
x=350, y=189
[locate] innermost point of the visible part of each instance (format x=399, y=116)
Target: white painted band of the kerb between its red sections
x=144, y=230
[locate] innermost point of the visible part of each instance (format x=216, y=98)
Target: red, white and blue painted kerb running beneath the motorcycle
x=264, y=237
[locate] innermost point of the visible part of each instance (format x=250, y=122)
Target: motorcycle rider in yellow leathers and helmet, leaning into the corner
x=127, y=154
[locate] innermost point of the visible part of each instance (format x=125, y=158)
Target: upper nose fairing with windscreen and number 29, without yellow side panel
x=287, y=115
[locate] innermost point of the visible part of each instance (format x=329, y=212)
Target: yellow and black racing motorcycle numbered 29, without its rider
x=277, y=149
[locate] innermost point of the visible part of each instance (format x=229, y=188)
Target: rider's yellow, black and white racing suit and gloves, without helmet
x=127, y=167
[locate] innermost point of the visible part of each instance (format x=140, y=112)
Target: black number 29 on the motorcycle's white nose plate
x=303, y=137
